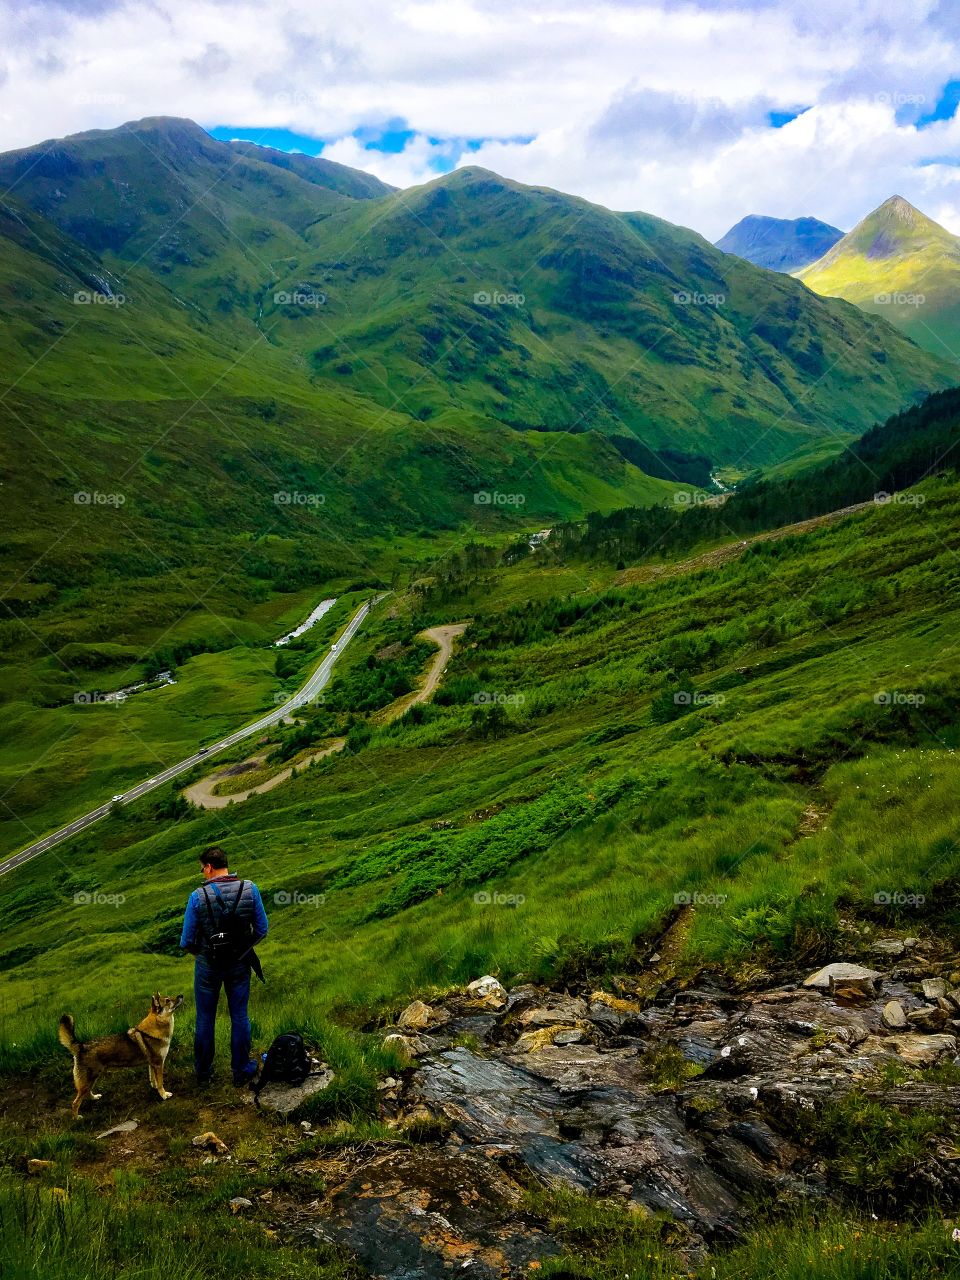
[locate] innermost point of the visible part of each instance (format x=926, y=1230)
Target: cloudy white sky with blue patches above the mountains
x=697, y=112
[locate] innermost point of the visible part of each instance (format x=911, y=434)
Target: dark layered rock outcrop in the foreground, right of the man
x=692, y=1104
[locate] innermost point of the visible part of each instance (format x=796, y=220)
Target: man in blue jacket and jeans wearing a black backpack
x=223, y=924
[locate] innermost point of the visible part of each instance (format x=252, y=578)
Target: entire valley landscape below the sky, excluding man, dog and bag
x=524, y=593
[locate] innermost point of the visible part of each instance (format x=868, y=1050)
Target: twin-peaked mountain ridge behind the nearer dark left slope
x=619, y=323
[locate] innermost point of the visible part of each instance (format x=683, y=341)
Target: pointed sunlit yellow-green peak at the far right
x=899, y=264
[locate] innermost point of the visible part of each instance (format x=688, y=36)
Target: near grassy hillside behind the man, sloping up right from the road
x=747, y=732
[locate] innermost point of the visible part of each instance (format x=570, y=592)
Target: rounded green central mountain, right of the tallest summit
x=550, y=313
